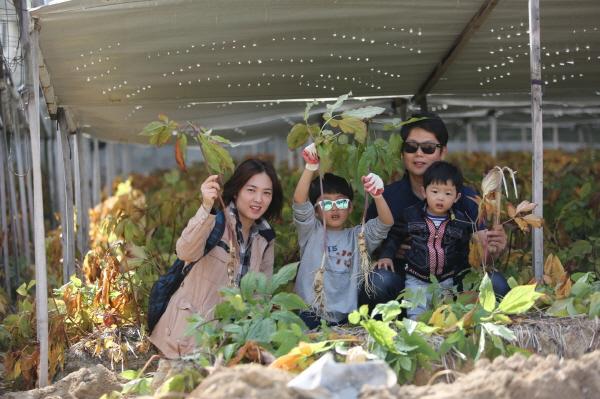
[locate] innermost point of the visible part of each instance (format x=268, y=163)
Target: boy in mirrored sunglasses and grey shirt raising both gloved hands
x=342, y=264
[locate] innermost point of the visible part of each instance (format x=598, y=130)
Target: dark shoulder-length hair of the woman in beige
x=243, y=173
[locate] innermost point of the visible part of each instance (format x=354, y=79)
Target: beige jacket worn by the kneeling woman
x=199, y=292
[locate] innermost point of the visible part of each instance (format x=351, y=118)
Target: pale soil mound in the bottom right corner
x=515, y=377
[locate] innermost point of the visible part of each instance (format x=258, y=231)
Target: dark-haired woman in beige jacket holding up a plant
x=252, y=195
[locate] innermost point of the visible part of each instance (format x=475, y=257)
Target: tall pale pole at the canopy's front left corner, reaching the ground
x=41, y=293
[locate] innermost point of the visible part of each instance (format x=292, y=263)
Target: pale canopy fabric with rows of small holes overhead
x=115, y=65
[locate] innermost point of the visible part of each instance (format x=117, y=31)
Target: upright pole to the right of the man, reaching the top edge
x=537, y=134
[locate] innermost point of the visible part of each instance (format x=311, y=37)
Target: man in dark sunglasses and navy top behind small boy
x=425, y=142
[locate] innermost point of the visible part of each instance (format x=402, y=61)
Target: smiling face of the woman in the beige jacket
x=253, y=200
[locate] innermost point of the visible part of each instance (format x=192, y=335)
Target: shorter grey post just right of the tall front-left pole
x=67, y=213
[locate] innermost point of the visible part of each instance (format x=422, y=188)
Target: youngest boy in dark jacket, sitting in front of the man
x=439, y=235
